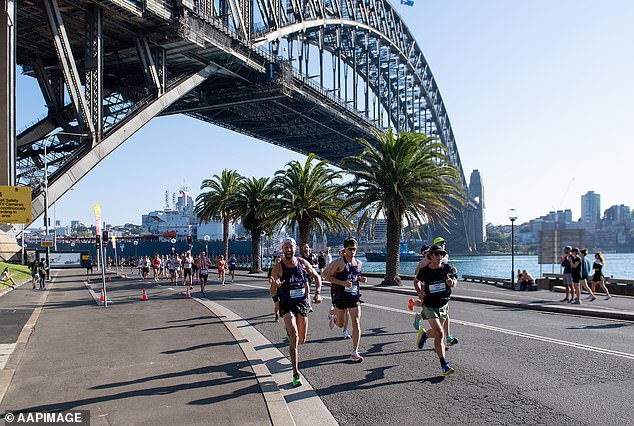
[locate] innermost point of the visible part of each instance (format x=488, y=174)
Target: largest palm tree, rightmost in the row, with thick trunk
x=405, y=178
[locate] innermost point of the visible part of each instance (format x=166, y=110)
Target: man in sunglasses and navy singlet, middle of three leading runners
x=344, y=275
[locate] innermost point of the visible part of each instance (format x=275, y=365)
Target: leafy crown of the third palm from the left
x=308, y=197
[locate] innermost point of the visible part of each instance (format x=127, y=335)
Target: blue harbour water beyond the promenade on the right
x=618, y=265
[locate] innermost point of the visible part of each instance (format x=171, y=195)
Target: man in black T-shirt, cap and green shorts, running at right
x=437, y=280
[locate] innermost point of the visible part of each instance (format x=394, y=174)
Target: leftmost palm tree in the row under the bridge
x=216, y=202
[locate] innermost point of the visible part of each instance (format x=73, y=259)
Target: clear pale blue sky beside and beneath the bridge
x=539, y=95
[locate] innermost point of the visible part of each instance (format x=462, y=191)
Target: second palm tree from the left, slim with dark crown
x=252, y=203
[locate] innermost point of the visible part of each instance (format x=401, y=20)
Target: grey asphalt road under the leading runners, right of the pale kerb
x=513, y=366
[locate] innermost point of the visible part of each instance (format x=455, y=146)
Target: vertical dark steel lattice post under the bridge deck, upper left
x=94, y=68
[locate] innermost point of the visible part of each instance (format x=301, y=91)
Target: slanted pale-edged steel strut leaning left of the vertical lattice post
x=68, y=65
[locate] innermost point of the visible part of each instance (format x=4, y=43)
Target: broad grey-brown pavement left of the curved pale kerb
x=164, y=361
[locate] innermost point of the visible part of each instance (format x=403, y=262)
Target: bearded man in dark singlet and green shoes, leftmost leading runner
x=288, y=281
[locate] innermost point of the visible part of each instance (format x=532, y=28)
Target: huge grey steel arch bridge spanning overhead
x=310, y=75
